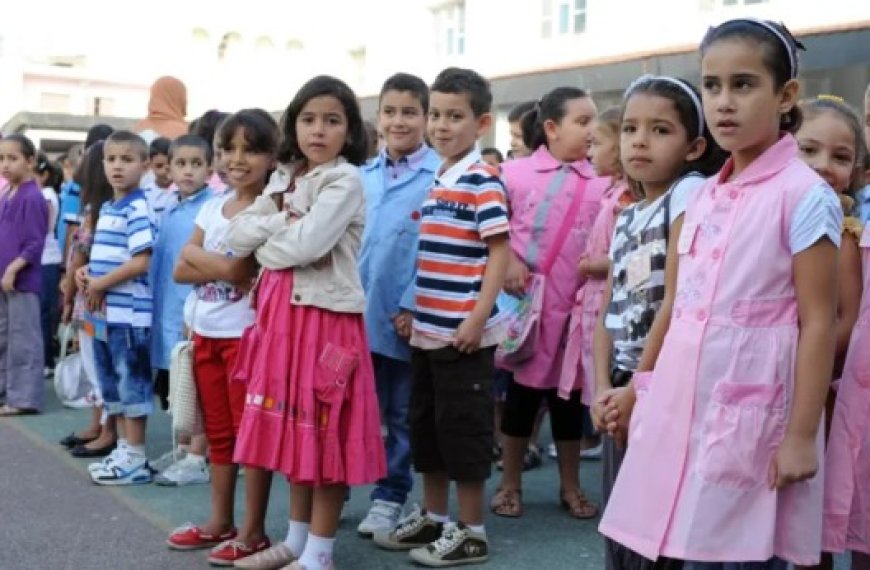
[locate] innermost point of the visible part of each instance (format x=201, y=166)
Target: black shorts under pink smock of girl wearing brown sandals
x=523, y=403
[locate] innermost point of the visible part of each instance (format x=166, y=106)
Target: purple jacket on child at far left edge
x=23, y=226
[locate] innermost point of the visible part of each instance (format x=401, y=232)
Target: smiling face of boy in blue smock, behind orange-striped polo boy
x=402, y=122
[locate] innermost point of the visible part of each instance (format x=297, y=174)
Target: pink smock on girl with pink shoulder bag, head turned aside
x=539, y=196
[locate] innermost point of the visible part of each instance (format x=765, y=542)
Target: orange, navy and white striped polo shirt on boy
x=466, y=205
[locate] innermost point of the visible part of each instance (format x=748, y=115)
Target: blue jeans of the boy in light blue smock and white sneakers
x=393, y=379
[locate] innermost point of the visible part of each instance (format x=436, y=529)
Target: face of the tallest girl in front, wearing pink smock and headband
x=742, y=105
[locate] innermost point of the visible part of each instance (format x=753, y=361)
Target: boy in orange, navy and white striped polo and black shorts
x=461, y=263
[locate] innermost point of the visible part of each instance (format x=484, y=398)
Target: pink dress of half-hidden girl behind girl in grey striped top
x=578, y=367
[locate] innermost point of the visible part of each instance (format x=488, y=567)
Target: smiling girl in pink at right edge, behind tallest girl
x=831, y=142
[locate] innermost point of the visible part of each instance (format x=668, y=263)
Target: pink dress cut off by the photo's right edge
x=847, y=464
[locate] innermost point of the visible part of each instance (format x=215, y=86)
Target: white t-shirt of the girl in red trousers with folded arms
x=217, y=309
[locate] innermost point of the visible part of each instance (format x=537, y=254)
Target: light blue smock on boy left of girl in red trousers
x=169, y=296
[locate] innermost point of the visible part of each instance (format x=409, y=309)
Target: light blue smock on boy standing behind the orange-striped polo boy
x=388, y=256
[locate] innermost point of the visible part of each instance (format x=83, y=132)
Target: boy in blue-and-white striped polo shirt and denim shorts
x=119, y=301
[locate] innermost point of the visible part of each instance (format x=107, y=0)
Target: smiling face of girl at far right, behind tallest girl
x=828, y=145
